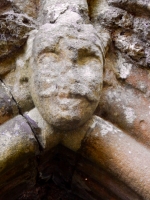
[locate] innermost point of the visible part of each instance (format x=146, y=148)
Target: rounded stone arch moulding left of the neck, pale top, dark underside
x=17, y=157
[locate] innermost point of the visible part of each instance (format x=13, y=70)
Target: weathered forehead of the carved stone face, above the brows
x=51, y=38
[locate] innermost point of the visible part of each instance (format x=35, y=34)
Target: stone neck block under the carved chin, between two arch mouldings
x=49, y=137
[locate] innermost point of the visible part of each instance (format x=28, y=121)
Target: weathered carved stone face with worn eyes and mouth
x=66, y=78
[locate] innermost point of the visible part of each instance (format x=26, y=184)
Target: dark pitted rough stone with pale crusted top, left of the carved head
x=14, y=29
